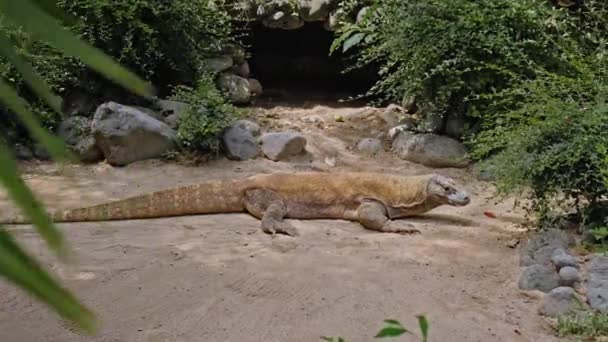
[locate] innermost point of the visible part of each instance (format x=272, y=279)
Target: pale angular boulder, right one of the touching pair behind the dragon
x=281, y=145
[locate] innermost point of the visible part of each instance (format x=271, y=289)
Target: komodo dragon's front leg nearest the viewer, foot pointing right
x=373, y=215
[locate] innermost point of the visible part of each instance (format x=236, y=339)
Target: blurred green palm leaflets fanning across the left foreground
x=42, y=20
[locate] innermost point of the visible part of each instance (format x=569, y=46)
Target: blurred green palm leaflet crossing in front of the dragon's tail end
x=25, y=199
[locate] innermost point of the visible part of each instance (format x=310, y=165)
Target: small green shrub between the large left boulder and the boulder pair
x=208, y=114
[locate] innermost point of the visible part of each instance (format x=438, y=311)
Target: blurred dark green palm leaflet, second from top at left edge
x=38, y=85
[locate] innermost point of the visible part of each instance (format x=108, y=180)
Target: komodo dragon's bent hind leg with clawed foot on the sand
x=270, y=208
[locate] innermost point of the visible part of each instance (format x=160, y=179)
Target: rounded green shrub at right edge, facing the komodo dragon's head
x=555, y=144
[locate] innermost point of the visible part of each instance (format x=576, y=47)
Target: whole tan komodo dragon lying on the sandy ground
x=373, y=199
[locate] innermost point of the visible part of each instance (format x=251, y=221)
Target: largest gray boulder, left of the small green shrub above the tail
x=125, y=134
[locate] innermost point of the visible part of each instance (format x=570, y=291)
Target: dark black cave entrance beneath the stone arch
x=295, y=65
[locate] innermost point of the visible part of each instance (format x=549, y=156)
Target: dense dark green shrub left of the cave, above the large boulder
x=164, y=41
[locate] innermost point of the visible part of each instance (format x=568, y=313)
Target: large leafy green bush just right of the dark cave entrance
x=449, y=56
